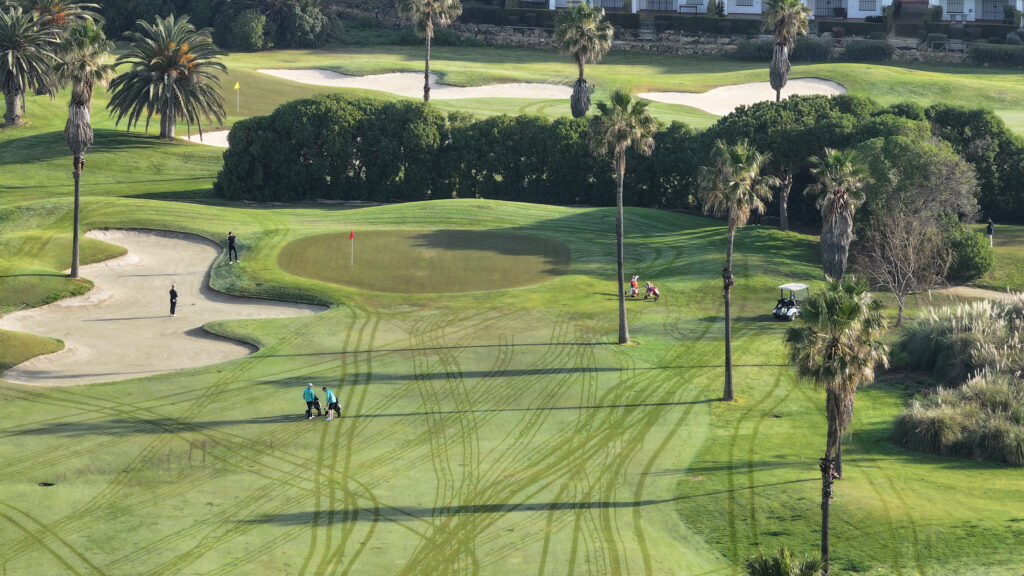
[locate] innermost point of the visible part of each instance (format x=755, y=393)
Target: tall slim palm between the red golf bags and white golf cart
x=734, y=187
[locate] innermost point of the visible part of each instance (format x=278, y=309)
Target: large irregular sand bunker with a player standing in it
x=123, y=328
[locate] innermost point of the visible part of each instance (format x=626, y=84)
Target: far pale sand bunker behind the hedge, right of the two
x=726, y=100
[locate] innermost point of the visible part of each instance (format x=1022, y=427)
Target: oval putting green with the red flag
x=428, y=263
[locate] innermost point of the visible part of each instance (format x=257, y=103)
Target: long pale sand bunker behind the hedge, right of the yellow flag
x=411, y=85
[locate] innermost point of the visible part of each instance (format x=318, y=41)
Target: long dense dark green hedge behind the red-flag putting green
x=335, y=148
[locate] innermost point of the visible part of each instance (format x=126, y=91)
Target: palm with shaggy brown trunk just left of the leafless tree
x=840, y=188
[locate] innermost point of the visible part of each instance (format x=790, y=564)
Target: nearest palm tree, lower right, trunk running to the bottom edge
x=838, y=348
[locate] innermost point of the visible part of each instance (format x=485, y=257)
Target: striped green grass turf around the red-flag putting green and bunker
x=484, y=433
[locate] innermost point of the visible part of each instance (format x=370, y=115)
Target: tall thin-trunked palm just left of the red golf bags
x=622, y=124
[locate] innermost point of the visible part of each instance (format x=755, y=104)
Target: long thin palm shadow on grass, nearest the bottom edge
x=401, y=514
